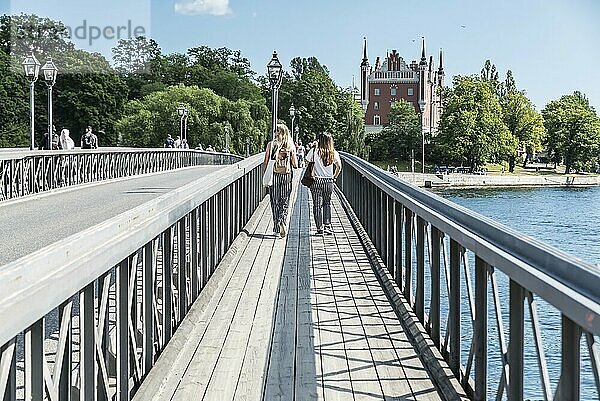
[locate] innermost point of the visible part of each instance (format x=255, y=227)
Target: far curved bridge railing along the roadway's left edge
x=29, y=172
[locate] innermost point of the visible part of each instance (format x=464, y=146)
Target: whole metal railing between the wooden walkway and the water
x=426, y=241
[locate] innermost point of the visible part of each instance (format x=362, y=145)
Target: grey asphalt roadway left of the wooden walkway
x=34, y=222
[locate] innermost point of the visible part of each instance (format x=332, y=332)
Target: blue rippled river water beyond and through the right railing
x=567, y=218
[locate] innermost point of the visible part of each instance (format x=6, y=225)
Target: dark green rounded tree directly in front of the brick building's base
x=400, y=137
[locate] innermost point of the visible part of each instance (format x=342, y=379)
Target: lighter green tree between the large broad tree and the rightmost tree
x=523, y=122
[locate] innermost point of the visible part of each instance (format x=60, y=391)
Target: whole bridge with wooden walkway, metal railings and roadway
x=188, y=295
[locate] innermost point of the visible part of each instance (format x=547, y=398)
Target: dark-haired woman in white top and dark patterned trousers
x=326, y=169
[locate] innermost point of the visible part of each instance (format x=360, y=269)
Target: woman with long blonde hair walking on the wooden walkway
x=283, y=151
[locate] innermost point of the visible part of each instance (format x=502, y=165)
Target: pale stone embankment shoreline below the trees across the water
x=455, y=180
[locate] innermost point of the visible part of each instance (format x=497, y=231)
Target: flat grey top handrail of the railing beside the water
x=525, y=259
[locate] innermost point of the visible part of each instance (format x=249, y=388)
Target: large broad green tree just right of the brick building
x=471, y=129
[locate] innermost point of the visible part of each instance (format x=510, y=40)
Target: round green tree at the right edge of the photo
x=573, y=131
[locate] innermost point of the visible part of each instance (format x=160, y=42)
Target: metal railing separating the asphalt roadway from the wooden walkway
x=86, y=318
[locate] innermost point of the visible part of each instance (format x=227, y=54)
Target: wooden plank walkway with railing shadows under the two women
x=302, y=318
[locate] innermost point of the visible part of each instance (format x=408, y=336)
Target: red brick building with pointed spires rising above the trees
x=394, y=79
